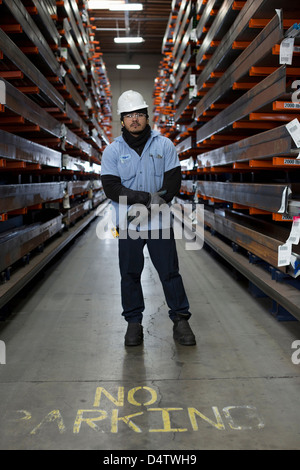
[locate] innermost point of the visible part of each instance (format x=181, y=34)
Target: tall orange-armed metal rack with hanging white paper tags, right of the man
x=232, y=100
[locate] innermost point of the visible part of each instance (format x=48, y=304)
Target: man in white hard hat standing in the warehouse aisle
x=143, y=167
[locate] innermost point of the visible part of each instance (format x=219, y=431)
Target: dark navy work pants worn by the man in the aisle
x=164, y=257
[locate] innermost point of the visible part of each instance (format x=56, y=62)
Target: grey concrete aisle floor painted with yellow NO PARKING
x=69, y=382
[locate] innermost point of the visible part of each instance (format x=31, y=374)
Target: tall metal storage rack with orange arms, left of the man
x=55, y=120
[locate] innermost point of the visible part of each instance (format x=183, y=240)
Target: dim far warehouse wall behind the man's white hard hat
x=140, y=80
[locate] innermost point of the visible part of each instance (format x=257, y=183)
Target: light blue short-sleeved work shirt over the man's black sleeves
x=140, y=173
